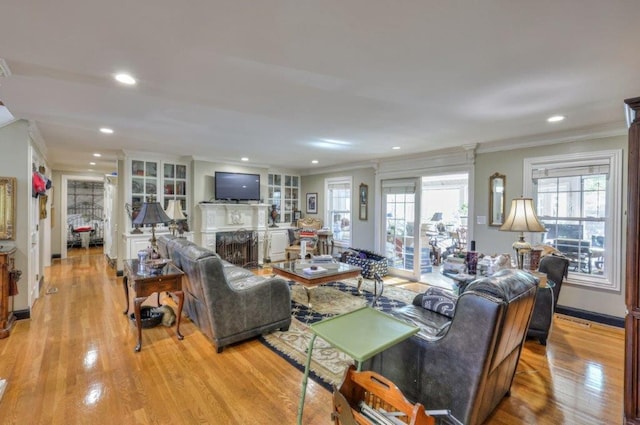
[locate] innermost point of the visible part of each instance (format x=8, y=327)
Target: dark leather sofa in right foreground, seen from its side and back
x=464, y=363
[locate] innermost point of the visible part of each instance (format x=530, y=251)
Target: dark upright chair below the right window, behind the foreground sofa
x=556, y=268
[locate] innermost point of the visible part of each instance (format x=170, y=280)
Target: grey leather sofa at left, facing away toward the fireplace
x=228, y=303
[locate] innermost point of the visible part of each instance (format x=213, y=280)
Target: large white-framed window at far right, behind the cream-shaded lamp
x=578, y=199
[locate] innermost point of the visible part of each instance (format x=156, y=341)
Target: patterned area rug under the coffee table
x=327, y=363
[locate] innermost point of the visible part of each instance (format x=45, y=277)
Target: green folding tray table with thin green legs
x=361, y=334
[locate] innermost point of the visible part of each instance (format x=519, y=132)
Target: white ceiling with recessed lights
x=273, y=80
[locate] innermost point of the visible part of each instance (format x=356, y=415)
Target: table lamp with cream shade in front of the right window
x=522, y=218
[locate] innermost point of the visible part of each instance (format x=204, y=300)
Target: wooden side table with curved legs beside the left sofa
x=169, y=279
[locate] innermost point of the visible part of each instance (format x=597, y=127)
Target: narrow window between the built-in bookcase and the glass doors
x=338, y=214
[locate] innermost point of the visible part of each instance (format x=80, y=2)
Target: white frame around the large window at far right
x=610, y=280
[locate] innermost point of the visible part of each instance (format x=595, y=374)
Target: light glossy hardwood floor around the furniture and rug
x=73, y=363
